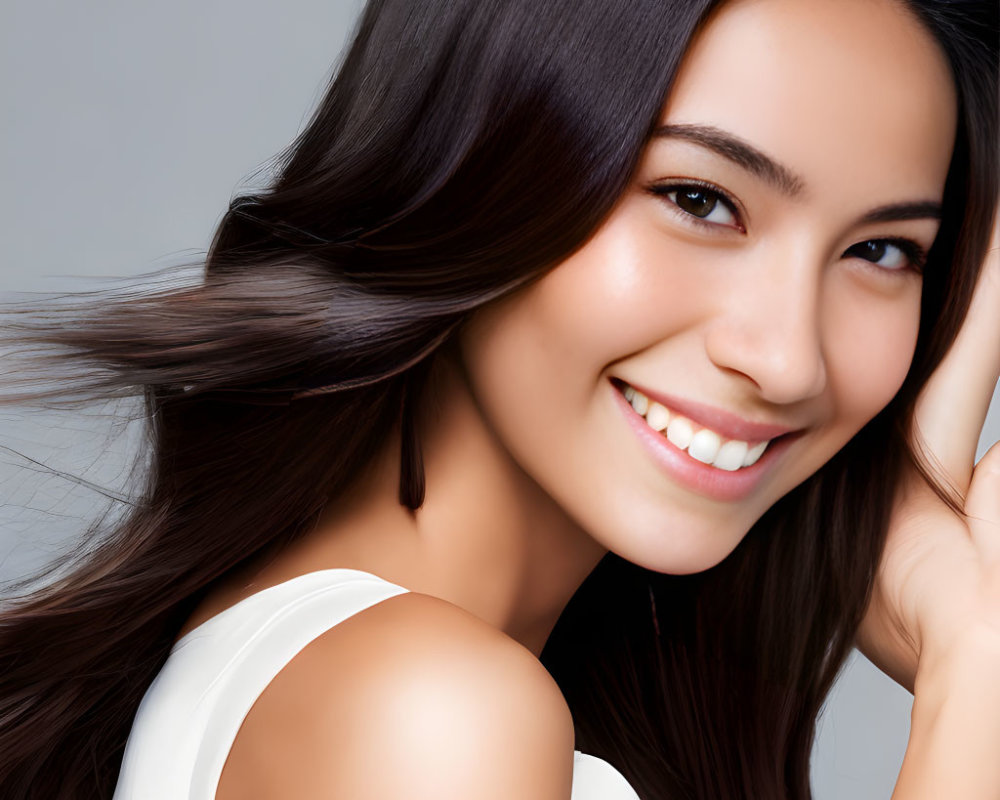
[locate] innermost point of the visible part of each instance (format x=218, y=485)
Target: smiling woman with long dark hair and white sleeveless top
x=435, y=362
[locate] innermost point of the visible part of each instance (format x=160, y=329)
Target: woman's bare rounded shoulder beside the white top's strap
x=413, y=697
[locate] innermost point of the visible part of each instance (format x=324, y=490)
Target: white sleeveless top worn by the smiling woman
x=191, y=712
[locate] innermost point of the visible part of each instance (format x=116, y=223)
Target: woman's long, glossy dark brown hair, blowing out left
x=463, y=149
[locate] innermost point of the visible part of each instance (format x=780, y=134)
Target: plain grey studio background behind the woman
x=126, y=128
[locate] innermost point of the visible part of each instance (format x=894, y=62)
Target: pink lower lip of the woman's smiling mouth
x=719, y=484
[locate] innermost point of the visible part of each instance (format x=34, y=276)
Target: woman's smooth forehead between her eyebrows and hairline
x=841, y=91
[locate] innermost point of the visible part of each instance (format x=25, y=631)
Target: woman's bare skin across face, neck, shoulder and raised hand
x=773, y=305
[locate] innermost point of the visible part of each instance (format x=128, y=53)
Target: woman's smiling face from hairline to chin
x=763, y=267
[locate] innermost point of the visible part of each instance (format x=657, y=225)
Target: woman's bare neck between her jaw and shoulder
x=486, y=538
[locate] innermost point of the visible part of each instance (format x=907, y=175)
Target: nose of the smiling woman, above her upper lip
x=769, y=327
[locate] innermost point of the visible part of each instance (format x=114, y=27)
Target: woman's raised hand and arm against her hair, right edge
x=933, y=623
